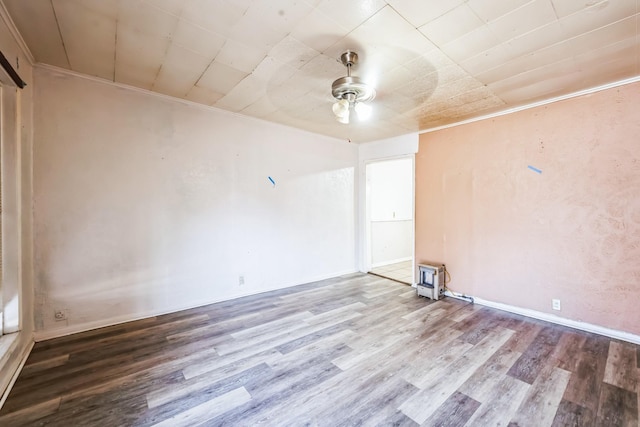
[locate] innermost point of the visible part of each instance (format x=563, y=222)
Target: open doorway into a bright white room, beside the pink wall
x=390, y=222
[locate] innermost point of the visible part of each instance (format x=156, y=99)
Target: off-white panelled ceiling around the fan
x=432, y=62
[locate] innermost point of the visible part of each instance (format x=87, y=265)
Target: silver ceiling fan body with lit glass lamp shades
x=351, y=92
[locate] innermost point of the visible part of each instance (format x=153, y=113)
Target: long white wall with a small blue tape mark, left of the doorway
x=146, y=205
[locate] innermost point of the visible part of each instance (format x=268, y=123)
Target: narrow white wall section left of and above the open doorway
x=404, y=146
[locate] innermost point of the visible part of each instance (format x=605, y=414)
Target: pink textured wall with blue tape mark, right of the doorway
x=511, y=235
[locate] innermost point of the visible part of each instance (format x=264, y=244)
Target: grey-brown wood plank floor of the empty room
x=354, y=350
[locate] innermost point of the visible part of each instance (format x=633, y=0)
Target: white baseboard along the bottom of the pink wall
x=551, y=318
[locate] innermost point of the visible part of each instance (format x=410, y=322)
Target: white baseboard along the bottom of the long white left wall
x=39, y=336
